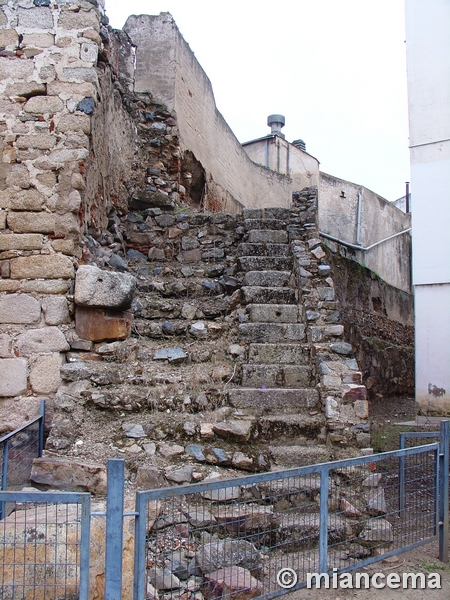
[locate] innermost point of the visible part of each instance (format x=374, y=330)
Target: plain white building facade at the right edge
x=428, y=67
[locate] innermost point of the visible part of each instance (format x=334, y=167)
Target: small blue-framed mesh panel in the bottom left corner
x=44, y=547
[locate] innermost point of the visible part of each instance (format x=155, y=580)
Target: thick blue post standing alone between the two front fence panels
x=114, y=529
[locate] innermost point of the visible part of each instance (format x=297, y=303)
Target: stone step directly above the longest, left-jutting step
x=284, y=376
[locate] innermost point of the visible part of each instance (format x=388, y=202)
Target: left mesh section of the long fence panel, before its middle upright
x=232, y=540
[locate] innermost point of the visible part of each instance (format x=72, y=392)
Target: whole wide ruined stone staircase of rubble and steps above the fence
x=236, y=360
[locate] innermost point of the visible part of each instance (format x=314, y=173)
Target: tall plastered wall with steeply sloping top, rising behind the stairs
x=230, y=179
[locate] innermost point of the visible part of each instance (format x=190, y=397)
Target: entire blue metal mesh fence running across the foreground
x=260, y=535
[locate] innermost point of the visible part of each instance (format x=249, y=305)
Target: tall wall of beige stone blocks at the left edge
x=49, y=87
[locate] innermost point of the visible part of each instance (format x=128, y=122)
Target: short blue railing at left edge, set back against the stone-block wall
x=18, y=449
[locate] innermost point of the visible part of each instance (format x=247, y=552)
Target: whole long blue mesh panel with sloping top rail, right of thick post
x=265, y=535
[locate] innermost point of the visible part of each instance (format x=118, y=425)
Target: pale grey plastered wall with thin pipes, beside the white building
x=338, y=209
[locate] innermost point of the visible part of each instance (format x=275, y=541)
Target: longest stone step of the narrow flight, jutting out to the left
x=277, y=400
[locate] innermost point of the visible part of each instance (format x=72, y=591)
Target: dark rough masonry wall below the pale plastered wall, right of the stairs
x=379, y=322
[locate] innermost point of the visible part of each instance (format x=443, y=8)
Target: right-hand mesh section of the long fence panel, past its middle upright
x=366, y=496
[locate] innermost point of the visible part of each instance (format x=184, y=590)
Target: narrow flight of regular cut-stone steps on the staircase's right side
x=278, y=379
